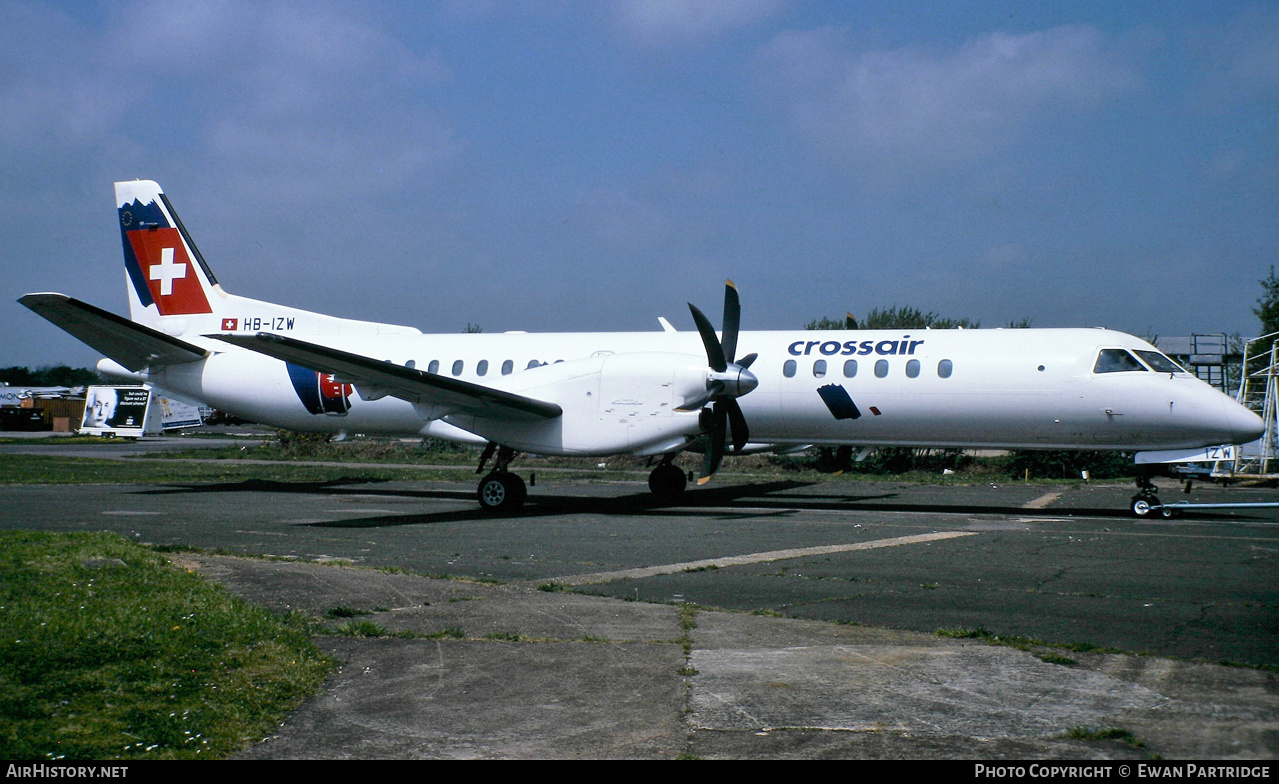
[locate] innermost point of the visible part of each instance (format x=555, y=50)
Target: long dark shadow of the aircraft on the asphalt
x=727, y=502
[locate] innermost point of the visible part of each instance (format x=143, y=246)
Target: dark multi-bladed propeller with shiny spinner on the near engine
x=727, y=380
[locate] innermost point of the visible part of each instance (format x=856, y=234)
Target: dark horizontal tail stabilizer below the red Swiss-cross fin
x=131, y=345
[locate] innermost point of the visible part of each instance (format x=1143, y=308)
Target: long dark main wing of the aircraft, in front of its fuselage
x=381, y=377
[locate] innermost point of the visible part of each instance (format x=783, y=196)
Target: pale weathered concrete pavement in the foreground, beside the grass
x=511, y=672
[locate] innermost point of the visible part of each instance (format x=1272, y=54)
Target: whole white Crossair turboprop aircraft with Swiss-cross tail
x=652, y=395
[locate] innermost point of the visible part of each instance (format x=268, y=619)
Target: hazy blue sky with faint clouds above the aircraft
x=590, y=166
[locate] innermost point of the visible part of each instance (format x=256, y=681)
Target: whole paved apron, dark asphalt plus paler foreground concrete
x=774, y=620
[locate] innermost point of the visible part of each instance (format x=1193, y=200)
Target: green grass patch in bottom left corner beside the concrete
x=109, y=652
